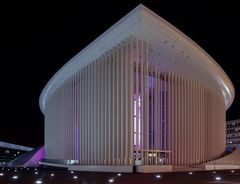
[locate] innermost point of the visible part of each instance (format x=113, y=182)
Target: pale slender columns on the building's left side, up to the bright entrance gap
x=90, y=117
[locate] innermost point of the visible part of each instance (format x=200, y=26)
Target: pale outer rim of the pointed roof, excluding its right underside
x=82, y=58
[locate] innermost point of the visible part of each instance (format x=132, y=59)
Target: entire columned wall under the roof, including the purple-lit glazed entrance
x=120, y=110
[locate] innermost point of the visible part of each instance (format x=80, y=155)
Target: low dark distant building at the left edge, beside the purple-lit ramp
x=9, y=152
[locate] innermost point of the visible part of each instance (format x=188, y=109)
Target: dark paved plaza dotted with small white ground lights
x=63, y=176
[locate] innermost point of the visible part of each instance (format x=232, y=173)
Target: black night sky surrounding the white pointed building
x=37, y=39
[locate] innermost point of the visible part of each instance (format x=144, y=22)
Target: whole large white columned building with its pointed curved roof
x=143, y=94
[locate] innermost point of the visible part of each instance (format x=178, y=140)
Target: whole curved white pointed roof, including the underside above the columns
x=170, y=50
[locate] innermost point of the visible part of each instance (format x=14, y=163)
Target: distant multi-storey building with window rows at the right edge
x=233, y=132
